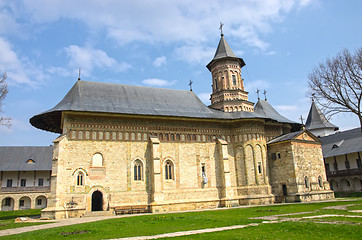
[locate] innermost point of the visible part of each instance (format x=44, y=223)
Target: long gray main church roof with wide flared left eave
x=136, y=100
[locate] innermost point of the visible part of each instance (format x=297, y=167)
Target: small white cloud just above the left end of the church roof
x=89, y=58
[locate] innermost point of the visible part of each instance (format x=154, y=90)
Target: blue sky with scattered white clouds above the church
x=162, y=43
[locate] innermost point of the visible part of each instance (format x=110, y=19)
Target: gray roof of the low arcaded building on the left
x=15, y=158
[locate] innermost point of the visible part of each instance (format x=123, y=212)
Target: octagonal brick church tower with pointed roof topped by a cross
x=228, y=92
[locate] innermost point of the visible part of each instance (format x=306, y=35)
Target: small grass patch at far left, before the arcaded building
x=7, y=218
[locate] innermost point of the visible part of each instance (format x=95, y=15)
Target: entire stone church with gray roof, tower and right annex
x=123, y=145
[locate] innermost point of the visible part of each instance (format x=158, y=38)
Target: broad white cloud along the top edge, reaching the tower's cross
x=186, y=21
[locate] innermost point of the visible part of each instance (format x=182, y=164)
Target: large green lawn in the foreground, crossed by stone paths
x=166, y=223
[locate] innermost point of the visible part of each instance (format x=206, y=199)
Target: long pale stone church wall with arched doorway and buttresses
x=233, y=157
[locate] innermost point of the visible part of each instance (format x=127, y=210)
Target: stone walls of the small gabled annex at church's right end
x=298, y=165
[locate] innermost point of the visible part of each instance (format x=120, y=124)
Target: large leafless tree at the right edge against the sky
x=337, y=84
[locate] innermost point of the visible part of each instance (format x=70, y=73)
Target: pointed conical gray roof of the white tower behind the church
x=317, y=120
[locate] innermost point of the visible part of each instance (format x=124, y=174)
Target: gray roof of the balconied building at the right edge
x=344, y=142
